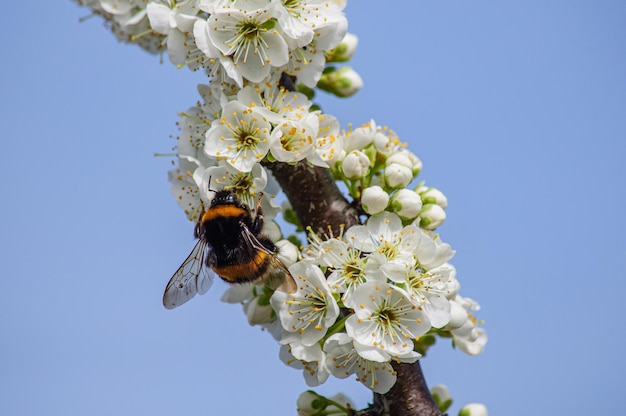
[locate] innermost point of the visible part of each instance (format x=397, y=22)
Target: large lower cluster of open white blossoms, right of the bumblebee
x=365, y=298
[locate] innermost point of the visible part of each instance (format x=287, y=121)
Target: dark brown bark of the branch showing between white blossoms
x=318, y=202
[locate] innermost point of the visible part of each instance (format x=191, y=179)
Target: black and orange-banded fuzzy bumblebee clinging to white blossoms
x=231, y=244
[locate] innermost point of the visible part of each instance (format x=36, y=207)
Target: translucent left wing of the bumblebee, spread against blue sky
x=192, y=277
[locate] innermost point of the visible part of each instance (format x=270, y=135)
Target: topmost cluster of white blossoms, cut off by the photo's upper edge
x=242, y=40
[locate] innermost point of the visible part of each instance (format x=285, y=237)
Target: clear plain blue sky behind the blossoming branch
x=518, y=111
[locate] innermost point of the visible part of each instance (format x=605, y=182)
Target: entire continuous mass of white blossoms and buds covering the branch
x=365, y=297
